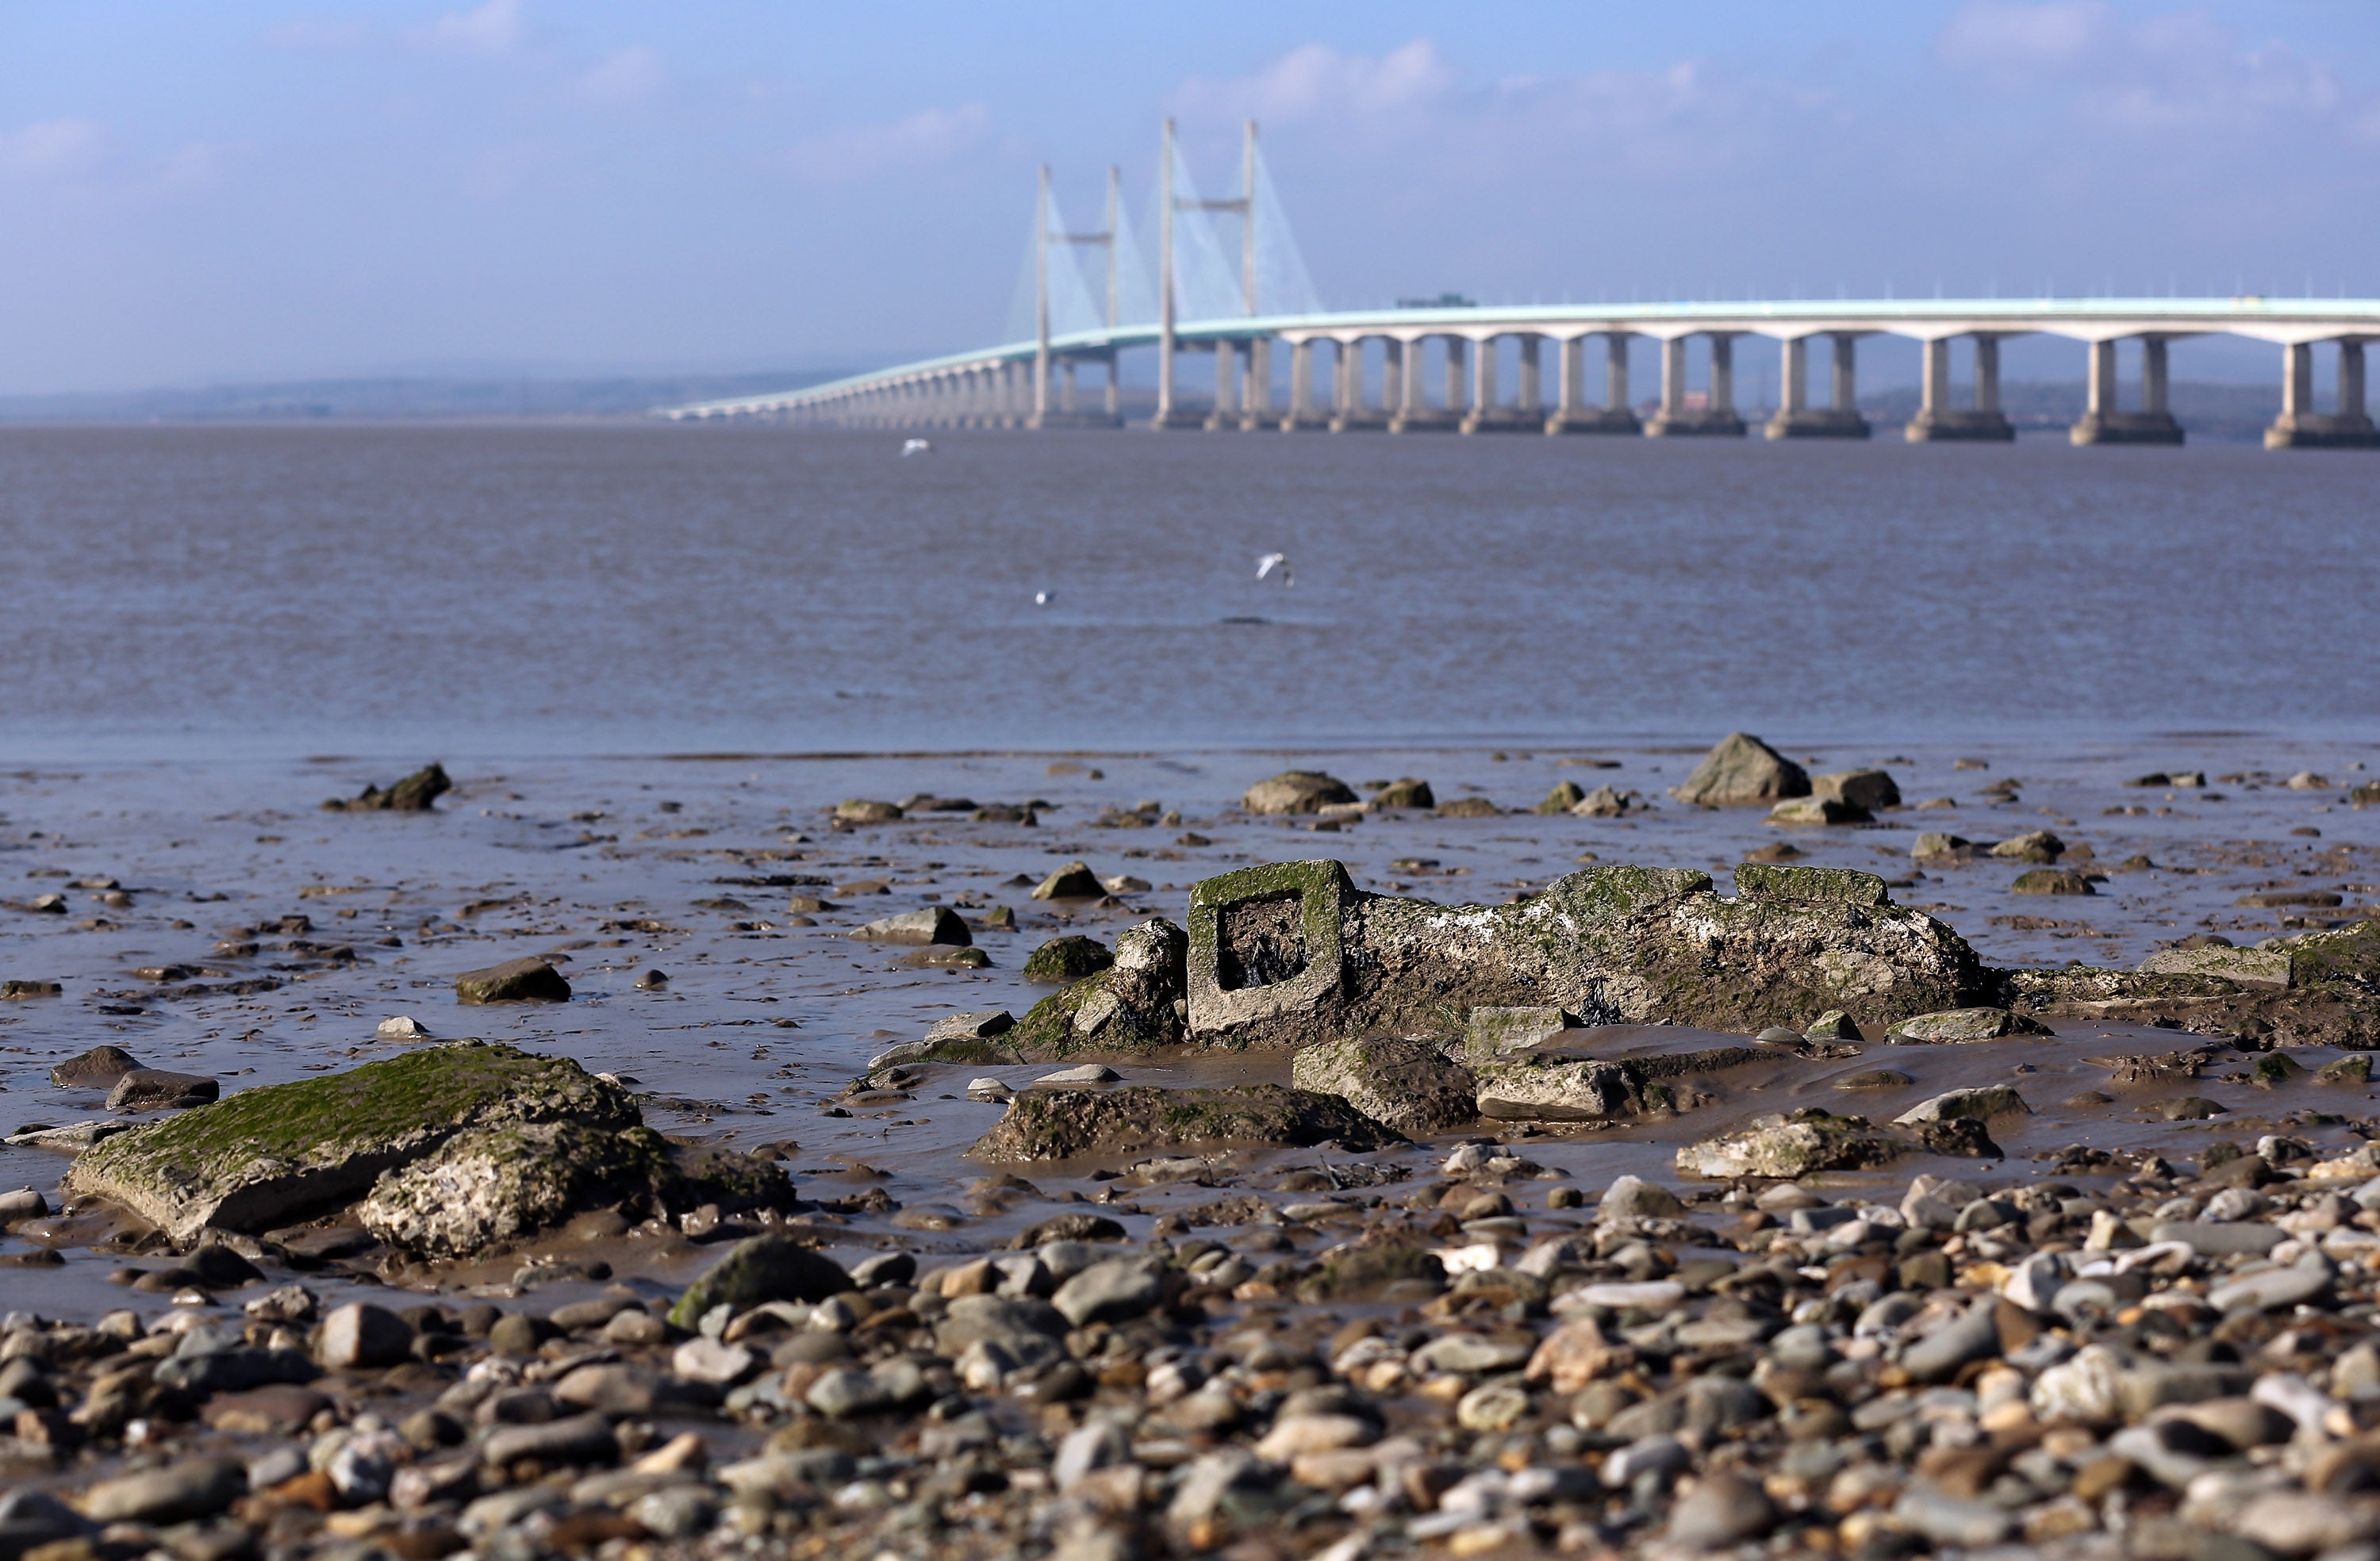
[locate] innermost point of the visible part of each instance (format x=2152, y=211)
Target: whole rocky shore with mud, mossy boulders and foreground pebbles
x=1648, y=1212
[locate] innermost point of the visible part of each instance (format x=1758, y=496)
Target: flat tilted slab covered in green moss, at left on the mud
x=287, y=1153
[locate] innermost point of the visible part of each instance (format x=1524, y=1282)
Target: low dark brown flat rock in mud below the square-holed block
x=1065, y=1124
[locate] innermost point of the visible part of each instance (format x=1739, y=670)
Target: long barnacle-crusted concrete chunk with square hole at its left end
x=1291, y=953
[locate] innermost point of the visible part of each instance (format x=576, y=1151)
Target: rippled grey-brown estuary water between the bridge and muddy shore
x=663, y=589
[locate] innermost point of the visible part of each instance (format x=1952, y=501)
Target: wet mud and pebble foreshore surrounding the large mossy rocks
x=1505, y=1331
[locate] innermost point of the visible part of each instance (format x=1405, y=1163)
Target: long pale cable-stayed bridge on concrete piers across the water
x=1232, y=284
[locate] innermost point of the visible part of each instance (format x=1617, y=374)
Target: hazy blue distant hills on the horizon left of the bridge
x=403, y=399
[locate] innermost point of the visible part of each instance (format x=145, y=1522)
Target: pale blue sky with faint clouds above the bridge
x=292, y=189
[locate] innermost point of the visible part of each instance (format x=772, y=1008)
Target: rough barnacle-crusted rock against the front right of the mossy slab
x=494, y=1186
